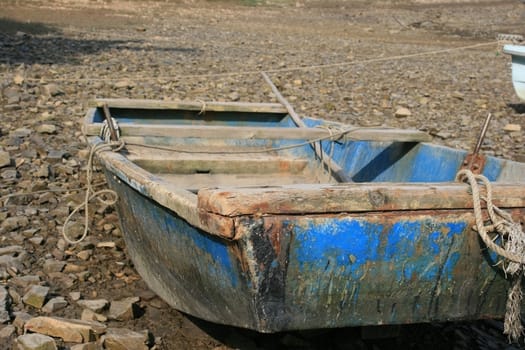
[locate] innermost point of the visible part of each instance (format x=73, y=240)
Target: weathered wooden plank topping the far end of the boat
x=191, y=105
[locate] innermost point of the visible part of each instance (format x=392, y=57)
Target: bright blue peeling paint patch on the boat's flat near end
x=351, y=248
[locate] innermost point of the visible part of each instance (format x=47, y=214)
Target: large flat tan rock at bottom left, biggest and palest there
x=70, y=330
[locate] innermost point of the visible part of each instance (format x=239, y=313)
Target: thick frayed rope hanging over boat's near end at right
x=512, y=247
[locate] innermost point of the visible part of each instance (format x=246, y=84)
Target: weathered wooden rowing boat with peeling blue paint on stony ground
x=231, y=215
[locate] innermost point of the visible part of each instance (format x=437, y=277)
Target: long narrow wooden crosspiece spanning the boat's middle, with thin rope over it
x=240, y=132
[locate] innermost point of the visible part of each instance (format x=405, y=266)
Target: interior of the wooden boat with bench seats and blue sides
x=197, y=149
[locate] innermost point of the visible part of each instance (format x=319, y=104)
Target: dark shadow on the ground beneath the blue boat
x=425, y=336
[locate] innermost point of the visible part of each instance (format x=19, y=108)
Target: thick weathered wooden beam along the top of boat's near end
x=355, y=197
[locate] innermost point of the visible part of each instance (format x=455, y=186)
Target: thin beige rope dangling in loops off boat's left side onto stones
x=114, y=146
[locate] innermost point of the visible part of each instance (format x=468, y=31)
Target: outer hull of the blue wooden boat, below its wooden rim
x=290, y=272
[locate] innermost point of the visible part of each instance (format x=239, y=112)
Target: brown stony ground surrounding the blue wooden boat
x=392, y=63
